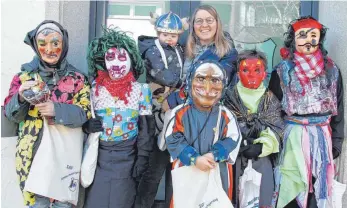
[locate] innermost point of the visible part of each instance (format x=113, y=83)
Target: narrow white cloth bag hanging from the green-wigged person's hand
x=90, y=155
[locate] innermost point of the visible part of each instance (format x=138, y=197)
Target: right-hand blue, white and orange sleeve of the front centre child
x=228, y=147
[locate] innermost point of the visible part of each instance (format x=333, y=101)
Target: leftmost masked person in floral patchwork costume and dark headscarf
x=29, y=100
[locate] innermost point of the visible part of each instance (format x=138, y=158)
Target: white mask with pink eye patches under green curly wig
x=118, y=62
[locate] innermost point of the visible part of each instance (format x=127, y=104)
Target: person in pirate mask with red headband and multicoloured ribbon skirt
x=309, y=85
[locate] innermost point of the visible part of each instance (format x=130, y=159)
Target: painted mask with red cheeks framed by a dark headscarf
x=49, y=46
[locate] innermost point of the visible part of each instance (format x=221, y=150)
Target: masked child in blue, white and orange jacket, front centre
x=191, y=129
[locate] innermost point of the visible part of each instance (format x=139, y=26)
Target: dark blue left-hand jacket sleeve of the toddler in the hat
x=156, y=69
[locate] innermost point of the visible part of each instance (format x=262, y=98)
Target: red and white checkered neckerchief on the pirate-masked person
x=308, y=66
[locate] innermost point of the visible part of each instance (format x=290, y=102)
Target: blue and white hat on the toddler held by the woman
x=170, y=23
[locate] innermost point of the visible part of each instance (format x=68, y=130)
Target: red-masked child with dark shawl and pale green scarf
x=258, y=113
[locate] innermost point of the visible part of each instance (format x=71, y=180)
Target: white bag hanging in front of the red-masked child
x=250, y=187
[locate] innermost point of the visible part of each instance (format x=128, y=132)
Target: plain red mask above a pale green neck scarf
x=252, y=73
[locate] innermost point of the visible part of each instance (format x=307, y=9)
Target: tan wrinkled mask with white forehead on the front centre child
x=207, y=86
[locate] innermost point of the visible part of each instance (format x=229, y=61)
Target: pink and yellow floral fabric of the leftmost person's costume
x=71, y=89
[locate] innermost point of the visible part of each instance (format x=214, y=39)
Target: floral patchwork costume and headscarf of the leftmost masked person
x=69, y=93
